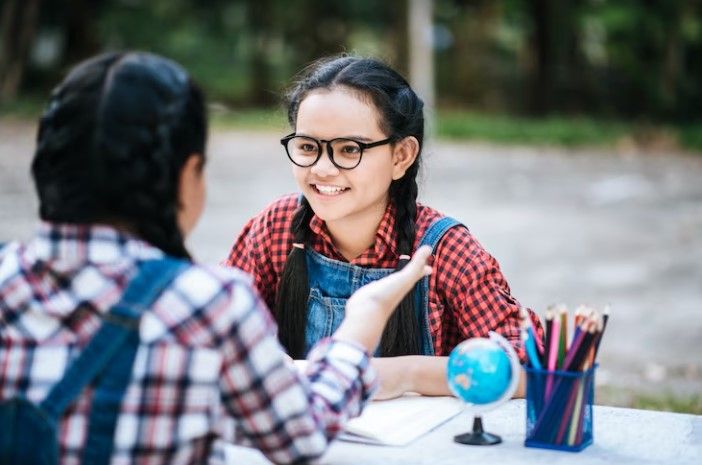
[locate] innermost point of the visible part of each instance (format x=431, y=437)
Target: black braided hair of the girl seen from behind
x=112, y=142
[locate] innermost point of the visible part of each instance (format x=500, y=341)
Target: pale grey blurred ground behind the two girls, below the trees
x=577, y=227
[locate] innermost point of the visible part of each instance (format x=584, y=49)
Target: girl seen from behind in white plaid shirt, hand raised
x=115, y=347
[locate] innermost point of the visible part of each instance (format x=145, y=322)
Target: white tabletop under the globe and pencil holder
x=621, y=436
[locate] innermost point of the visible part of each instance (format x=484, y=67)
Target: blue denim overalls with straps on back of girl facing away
x=28, y=432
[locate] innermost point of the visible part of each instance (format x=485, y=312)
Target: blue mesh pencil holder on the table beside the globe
x=559, y=409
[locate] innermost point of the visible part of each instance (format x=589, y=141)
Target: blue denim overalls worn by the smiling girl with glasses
x=332, y=282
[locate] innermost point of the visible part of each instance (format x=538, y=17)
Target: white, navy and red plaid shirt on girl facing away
x=208, y=366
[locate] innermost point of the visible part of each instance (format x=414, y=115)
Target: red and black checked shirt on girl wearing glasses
x=468, y=295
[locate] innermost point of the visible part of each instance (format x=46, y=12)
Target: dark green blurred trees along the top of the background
x=619, y=58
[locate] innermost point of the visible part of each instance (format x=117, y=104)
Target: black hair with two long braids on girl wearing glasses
x=401, y=115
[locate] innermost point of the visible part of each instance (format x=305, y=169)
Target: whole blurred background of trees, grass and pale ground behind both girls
x=566, y=134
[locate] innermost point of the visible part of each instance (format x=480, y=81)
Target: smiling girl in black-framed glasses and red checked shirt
x=355, y=153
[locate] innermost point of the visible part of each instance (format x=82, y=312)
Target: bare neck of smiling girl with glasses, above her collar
x=354, y=234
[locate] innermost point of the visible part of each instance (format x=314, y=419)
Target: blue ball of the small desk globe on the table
x=479, y=371
